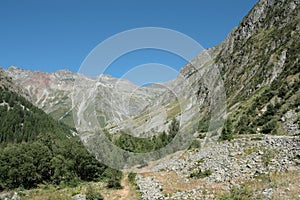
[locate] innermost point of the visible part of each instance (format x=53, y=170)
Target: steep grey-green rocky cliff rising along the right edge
x=259, y=62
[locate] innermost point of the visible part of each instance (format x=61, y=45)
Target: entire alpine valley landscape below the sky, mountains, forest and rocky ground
x=239, y=101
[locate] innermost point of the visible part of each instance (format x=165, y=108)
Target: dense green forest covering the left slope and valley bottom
x=36, y=149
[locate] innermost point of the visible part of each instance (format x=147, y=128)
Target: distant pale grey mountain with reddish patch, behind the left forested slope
x=52, y=92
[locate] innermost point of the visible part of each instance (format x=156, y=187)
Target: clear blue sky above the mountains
x=58, y=34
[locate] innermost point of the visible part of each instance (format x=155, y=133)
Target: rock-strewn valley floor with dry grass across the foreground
x=249, y=167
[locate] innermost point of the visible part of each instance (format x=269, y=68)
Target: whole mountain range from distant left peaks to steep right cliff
x=258, y=62
